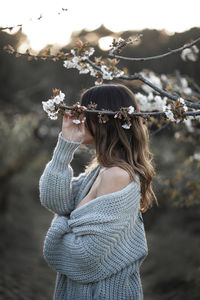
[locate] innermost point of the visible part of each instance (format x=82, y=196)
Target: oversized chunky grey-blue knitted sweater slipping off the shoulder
x=98, y=248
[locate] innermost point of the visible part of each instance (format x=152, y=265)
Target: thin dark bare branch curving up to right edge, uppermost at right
x=112, y=54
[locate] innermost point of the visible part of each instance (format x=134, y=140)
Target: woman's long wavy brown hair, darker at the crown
x=116, y=146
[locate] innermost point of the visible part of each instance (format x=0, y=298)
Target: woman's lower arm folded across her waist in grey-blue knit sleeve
x=89, y=247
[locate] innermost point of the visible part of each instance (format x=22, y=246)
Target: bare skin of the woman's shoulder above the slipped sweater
x=112, y=180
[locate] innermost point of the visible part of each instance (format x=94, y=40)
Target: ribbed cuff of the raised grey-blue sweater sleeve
x=63, y=152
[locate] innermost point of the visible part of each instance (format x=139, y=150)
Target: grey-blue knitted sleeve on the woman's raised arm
x=57, y=186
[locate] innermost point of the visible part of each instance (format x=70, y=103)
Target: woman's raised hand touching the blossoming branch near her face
x=71, y=131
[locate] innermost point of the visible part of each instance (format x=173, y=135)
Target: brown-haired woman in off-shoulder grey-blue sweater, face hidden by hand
x=97, y=241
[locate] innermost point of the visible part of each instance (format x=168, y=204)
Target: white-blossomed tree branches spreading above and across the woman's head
x=171, y=99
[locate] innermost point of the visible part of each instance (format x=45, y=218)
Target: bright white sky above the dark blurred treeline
x=56, y=26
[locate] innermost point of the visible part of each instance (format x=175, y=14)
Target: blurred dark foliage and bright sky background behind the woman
x=28, y=137
